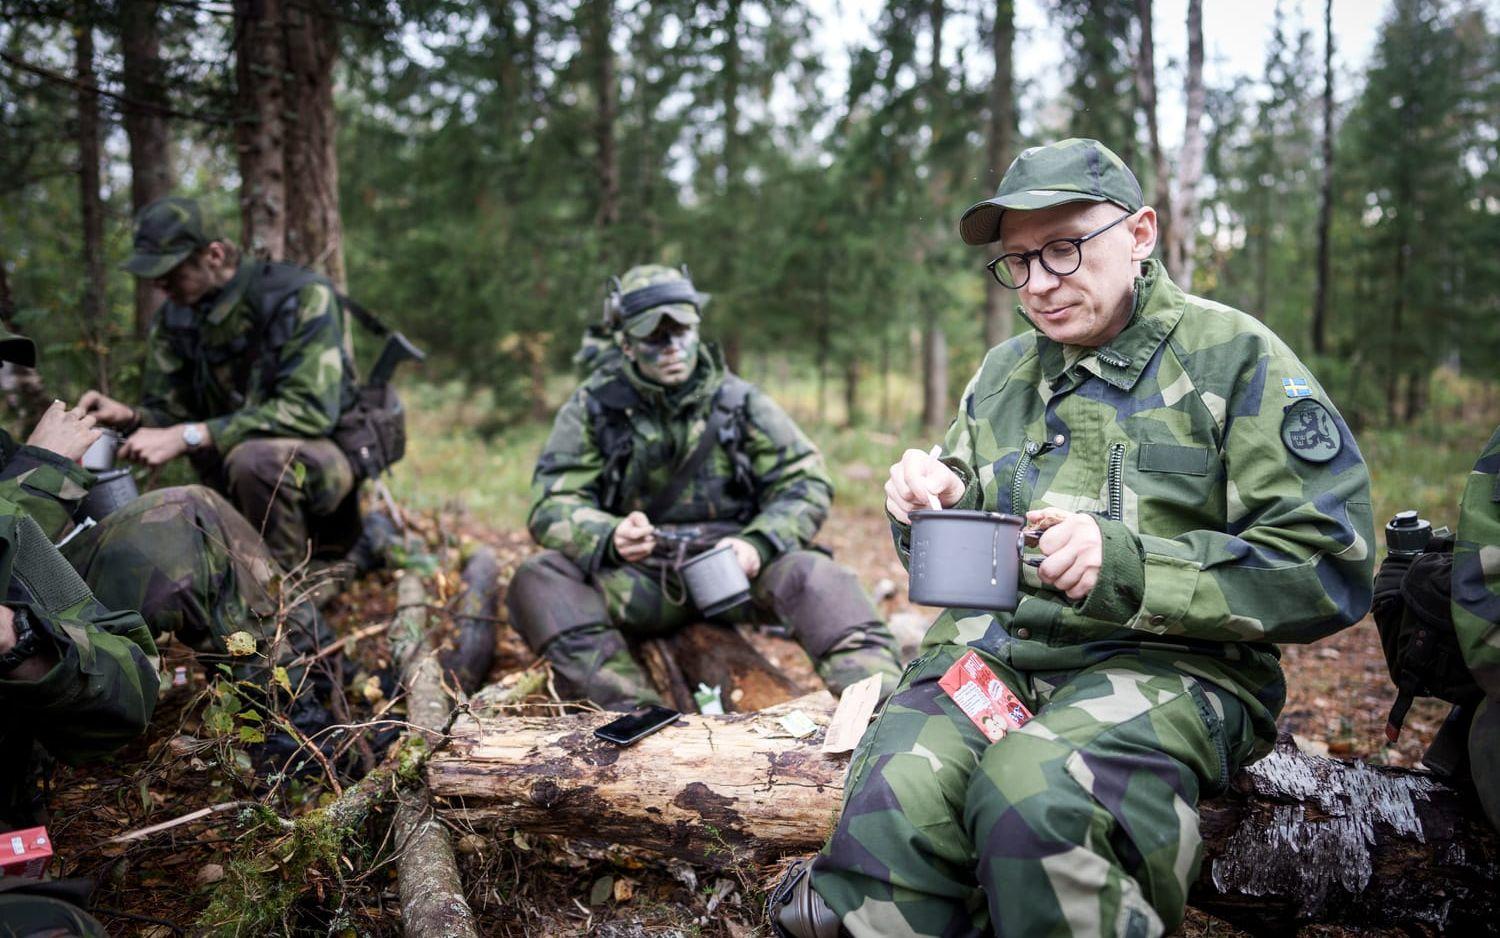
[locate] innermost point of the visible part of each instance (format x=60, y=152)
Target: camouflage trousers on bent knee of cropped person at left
x=193, y=567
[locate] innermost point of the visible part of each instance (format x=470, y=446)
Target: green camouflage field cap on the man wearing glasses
x=1067, y=172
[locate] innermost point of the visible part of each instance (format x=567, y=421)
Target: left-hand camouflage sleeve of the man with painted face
x=566, y=513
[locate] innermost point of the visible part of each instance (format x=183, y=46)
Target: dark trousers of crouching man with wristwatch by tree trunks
x=290, y=507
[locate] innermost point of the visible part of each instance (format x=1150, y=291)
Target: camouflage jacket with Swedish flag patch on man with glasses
x=1232, y=498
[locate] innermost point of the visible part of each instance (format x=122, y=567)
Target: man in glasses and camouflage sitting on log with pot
x=1192, y=523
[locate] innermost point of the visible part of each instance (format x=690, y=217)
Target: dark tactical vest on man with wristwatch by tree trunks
x=272, y=298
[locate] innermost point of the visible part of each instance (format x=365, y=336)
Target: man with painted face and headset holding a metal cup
x=617, y=448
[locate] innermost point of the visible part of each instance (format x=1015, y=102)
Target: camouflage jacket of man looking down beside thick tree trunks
x=218, y=362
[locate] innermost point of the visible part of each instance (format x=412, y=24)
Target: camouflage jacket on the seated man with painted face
x=581, y=492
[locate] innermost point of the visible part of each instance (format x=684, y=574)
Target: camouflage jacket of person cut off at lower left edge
x=103, y=690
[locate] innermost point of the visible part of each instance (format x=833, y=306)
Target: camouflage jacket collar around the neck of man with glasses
x=1156, y=313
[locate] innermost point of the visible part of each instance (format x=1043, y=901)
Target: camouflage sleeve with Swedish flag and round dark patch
x=1295, y=559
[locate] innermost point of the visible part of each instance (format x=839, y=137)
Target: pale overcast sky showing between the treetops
x=1235, y=35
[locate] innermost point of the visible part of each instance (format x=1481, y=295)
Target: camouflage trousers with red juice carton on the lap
x=1082, y=823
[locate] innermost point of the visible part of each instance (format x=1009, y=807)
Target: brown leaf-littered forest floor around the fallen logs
x=164, y=885
